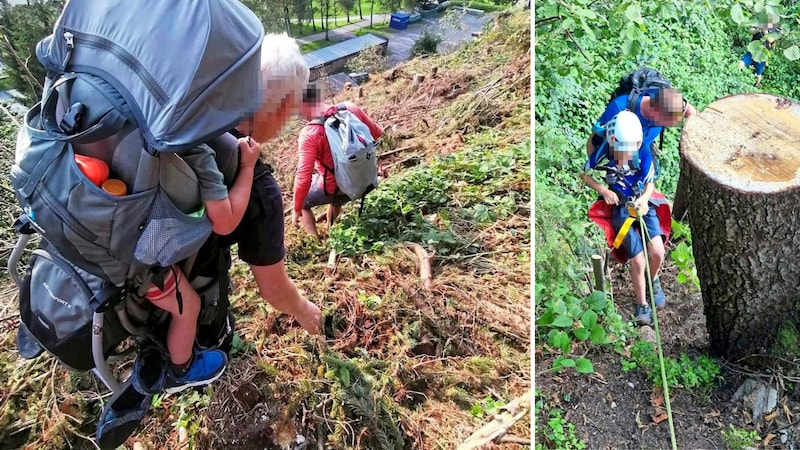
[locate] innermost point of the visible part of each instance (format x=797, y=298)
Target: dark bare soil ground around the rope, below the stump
x=612, y=409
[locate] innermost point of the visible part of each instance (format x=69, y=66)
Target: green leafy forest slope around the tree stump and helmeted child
x=597, y=379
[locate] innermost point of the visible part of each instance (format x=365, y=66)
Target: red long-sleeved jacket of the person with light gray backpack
x=315, y=154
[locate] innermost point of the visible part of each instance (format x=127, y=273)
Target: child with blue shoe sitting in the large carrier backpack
x=225, y=208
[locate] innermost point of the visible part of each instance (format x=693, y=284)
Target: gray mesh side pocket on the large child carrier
x=170, y=236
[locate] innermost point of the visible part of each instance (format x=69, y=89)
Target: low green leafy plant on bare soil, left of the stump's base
x=699, y=373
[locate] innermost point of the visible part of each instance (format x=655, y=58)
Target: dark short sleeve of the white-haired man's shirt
x=260, y=233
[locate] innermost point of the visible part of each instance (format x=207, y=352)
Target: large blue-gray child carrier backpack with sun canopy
x=134, y=83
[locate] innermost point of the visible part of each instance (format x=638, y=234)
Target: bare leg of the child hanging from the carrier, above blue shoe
x=183, y=325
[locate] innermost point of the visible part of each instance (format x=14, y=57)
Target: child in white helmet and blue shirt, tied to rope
x=630, y=183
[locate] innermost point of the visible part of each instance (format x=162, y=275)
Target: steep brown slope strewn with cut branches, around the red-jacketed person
x=404, y=363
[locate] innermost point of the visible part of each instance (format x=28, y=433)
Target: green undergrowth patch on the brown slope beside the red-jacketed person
x=441, y=204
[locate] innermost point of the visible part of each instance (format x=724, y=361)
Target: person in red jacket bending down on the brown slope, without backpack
x=314, y=182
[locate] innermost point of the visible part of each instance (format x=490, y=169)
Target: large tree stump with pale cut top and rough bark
x=740, y=157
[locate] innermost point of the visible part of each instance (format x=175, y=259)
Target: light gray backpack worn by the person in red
x=355, y=164
